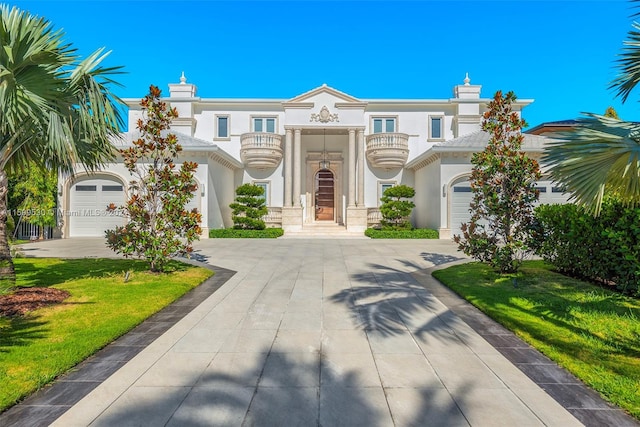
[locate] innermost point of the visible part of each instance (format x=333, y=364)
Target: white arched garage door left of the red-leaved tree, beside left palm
x=88, y=201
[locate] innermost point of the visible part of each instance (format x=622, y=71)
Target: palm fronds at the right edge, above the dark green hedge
x=602, y=155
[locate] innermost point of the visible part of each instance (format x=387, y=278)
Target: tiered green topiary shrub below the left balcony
x=248, y=208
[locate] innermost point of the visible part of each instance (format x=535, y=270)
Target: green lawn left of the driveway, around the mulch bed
x=38, y=347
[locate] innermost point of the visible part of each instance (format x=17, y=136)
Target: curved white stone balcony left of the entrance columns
x=261, y=150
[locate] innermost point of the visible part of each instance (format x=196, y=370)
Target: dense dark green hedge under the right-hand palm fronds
x=605, y=248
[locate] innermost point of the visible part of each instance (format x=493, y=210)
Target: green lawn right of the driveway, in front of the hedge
x=592, y=332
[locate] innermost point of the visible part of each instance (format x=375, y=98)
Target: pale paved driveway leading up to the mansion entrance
x=315, y=332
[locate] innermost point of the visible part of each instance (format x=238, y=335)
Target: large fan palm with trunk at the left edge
x=55, y=108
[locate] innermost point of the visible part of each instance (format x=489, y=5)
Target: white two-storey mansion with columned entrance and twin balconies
x=324, y=159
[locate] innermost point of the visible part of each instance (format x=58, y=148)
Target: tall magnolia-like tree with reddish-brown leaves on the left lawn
x=158, y=226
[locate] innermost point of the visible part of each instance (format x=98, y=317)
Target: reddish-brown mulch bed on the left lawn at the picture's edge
x=24, y=300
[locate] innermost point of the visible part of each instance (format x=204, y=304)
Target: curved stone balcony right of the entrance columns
x=388, y=150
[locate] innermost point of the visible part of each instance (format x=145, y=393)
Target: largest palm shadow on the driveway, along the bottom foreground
x=273, y=389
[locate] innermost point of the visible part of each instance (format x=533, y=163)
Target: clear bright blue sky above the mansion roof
x=559, y=53
